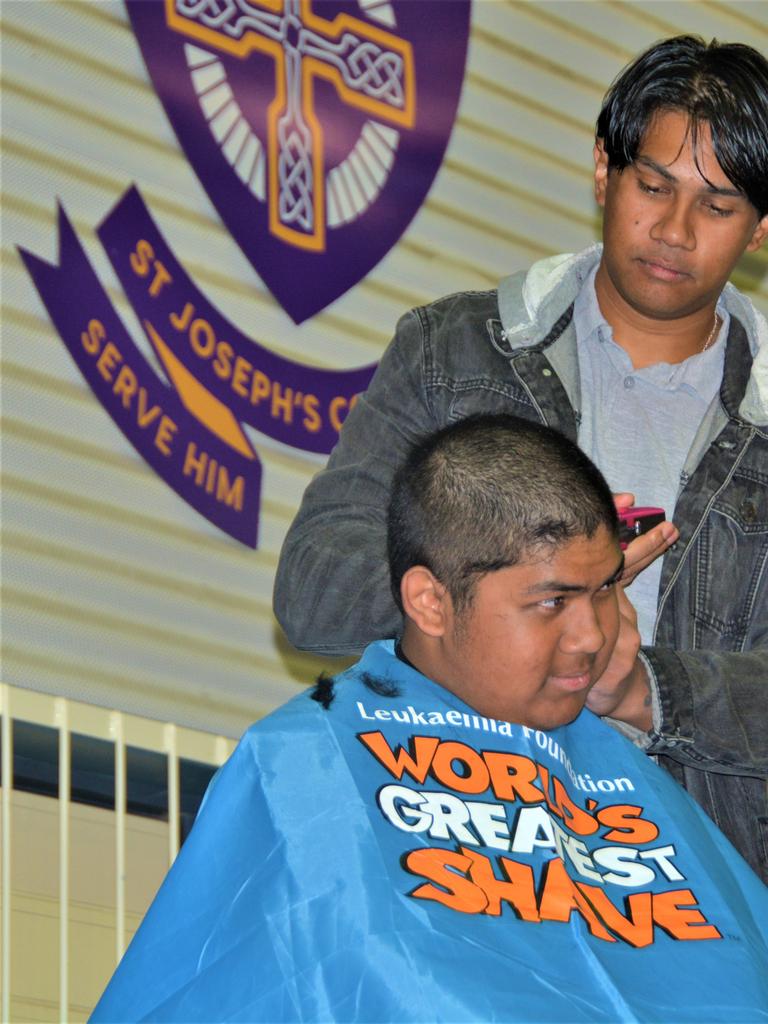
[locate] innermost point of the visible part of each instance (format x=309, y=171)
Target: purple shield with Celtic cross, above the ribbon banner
x=317, y=127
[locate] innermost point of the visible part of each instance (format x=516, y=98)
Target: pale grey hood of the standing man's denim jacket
x=531, y=303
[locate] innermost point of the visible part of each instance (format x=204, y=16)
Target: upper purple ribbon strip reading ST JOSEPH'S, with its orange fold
x=221, y=373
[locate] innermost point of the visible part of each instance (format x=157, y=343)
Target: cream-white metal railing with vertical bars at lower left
x=123, y=731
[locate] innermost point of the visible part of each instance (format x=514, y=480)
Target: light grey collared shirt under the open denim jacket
x=638, y=425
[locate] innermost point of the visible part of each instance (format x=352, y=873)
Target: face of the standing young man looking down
x=672, y=233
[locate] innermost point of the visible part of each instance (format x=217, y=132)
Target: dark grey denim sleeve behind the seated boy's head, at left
x=332, y=593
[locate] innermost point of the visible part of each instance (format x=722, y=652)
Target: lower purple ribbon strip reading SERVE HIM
x=220, y=480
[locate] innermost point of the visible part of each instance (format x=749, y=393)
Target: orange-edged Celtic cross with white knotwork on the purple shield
x=370, y=69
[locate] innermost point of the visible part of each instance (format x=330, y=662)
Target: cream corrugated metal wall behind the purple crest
x=115, y=591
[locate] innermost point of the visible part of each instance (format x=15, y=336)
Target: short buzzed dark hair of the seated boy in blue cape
x=484, y=494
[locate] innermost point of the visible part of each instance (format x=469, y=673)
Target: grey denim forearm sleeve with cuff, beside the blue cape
x=712, y=709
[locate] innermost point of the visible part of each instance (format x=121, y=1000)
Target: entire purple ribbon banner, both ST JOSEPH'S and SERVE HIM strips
x=192, y=432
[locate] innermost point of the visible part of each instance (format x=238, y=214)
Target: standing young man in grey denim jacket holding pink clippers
x=644, y=353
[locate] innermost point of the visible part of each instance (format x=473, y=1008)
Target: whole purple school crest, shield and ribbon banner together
x=317, y=129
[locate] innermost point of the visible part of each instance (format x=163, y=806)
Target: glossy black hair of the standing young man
x=724, y=86
